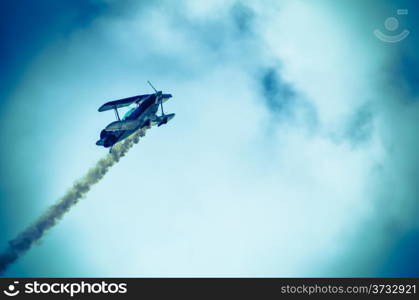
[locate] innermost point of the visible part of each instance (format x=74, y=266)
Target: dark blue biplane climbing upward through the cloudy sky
x=143, y=115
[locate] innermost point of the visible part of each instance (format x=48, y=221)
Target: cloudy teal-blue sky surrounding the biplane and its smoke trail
x=293, y=151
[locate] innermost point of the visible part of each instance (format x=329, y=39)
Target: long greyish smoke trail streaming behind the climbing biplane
x=24, y=241
